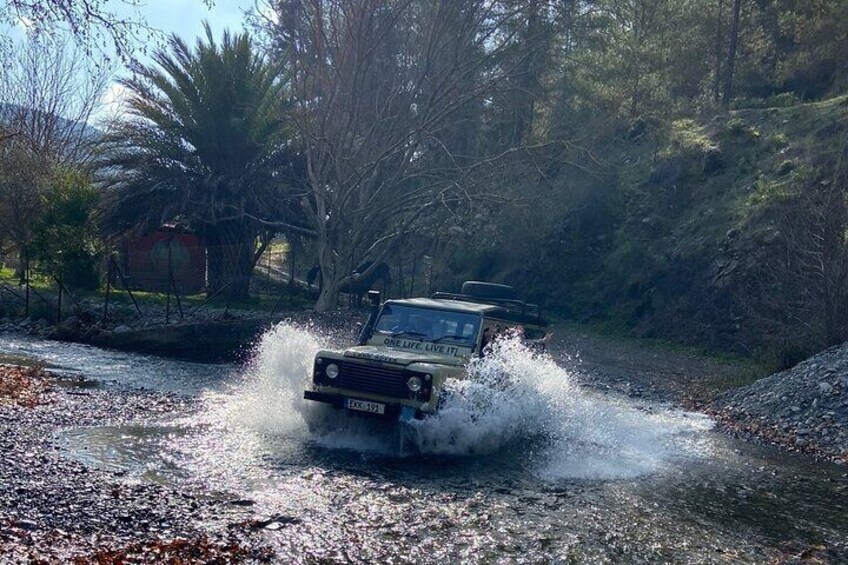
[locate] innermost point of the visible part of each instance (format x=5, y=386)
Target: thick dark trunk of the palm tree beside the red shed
x=230, y=255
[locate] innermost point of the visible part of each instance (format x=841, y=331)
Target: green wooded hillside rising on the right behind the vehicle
x=687, y=177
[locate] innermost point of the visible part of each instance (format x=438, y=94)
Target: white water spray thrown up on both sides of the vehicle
x=511, y=396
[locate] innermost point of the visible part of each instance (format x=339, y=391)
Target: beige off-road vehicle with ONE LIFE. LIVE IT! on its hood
x=409, y=348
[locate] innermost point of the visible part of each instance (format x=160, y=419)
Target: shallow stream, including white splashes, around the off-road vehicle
x=522, y=465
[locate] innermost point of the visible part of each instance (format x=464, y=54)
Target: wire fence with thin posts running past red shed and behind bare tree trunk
x=172, y=276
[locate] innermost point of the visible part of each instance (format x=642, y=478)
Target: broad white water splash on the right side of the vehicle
x=515, y=394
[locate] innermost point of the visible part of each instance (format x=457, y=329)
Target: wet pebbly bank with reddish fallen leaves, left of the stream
x=56, y=510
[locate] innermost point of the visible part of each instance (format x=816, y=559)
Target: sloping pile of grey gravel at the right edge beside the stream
x=803, y=409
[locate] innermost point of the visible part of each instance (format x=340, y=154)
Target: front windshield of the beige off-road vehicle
x=428, y=325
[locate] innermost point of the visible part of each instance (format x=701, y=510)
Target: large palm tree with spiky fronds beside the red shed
x=204, y=143
